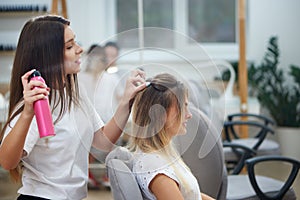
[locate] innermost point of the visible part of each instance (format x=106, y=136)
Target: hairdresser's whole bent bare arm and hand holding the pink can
x=11, y=149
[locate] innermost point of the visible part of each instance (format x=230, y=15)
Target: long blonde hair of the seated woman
x=149, y=113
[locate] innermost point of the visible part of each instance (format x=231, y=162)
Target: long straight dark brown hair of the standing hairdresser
x=41, y=47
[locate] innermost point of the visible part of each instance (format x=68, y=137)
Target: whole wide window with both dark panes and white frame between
x=212, y=23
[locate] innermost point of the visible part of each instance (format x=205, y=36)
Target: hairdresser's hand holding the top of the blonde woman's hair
x=135, y=83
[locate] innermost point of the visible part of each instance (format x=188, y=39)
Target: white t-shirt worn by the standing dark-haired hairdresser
x=57, y=167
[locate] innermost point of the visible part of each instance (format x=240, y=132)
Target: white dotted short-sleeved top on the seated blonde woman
x=147, y=165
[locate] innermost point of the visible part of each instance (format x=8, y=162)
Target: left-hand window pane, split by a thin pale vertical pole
x=156, y=13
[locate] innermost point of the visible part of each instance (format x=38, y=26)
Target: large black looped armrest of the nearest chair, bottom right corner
x=294, y=171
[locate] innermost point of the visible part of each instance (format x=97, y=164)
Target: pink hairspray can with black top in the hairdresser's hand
x=42, y=111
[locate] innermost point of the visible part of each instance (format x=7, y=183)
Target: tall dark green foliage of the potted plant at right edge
x=278, y=93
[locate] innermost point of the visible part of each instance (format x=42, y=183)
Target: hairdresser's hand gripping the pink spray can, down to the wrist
x=31, y=95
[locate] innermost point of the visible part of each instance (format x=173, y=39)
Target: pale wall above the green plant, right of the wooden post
x=280, y=18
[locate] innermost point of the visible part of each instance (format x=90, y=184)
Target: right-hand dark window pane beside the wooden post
x=212, y=21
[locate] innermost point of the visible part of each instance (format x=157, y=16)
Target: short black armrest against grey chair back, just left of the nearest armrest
x=243, y=152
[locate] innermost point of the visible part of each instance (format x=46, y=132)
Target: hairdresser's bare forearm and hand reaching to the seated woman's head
x=114, y=128
